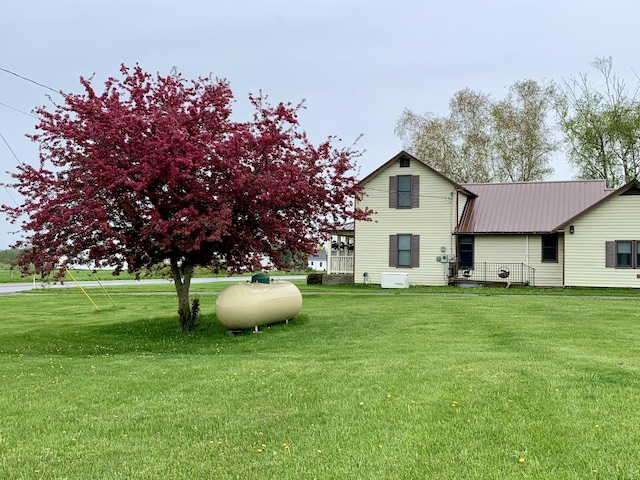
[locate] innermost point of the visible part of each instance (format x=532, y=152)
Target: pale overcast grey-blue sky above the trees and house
x=357, y=64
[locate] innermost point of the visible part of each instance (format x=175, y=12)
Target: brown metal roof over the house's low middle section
x=527, y=207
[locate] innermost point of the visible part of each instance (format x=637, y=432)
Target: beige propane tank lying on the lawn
x=249, y=305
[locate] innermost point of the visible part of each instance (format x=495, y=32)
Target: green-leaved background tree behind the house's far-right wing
x=601, y=125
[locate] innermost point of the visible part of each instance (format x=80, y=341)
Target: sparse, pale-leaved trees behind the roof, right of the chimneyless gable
x=486, y=141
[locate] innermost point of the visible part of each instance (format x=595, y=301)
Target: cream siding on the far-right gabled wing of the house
x=585, y=248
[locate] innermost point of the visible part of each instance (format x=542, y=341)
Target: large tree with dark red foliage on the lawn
x=154, y=170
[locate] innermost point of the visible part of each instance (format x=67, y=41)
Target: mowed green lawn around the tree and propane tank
x=361, y=385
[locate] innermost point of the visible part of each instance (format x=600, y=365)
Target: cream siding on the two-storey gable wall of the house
x=433, y=220
